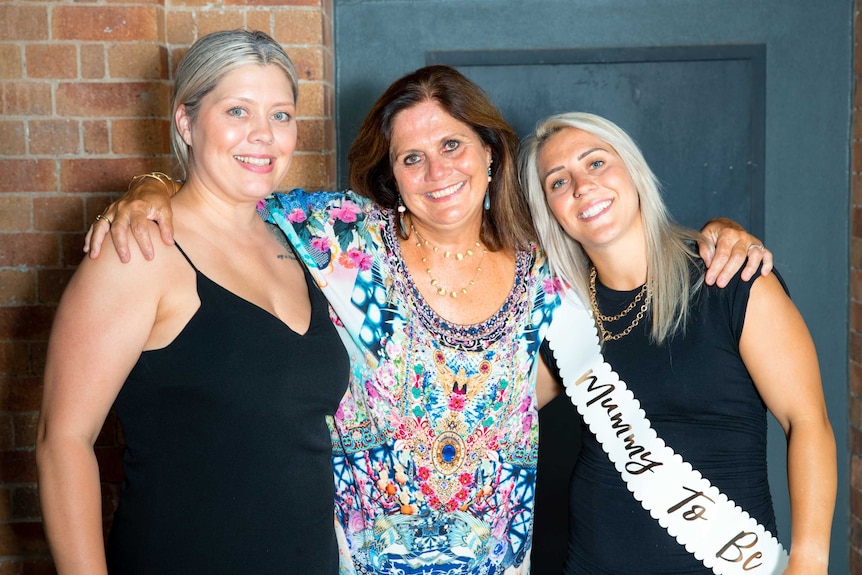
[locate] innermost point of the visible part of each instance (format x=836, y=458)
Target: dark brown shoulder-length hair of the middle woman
x=507, y=224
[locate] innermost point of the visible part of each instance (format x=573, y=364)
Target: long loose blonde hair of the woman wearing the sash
x=669, y=246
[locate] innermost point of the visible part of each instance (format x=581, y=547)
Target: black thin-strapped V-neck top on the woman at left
x=228, y=455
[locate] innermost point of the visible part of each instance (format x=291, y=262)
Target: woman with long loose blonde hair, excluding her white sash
x=704, y=363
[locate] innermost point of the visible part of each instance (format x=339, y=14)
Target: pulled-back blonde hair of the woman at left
x=207, y=62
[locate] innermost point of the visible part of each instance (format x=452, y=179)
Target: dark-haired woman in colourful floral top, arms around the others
x=442, y=294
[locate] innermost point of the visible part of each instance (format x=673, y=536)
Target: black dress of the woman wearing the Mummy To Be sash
x=700, y=399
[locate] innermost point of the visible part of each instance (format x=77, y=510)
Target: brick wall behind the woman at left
x=84, y=96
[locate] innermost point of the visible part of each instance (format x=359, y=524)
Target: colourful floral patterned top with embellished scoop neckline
x=435, y=442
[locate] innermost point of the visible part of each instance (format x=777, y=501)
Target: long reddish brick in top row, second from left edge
x=105, y=23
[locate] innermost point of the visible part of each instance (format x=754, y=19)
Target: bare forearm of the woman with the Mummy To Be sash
x=812, y=480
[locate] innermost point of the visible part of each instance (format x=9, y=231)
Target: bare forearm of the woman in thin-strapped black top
x=71, y=502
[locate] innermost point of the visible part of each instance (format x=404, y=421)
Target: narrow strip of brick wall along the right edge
x=855, y=393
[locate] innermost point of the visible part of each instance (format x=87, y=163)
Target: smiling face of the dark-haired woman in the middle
x=441, y=168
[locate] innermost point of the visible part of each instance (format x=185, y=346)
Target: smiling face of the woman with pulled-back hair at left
x=244, y=135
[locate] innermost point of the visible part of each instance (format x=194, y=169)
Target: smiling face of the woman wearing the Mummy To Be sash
x=589, y=190
